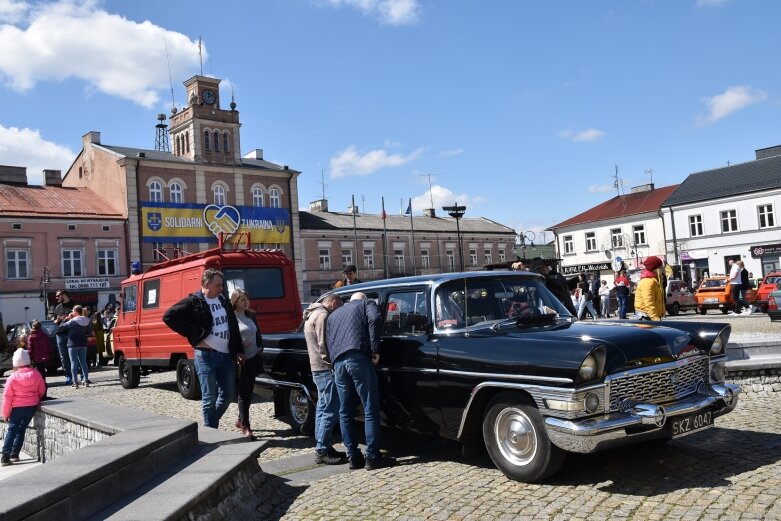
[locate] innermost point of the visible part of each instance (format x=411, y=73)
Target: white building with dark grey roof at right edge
x=727, y=213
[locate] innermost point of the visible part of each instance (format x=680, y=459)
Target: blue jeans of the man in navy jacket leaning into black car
x=354, y=374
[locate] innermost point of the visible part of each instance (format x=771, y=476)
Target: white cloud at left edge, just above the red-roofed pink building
x=25, y=147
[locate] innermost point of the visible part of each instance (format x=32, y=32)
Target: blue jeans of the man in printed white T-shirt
x=217, y=375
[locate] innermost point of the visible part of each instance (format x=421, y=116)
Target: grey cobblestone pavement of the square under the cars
x=731, y=471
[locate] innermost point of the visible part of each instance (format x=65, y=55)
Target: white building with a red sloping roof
x=620, y=232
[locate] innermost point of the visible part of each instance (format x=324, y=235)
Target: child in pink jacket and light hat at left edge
x=21, y=396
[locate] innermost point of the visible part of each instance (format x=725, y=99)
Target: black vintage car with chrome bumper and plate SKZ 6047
x=493, y=357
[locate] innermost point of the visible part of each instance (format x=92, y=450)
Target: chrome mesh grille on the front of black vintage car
x=659, y=384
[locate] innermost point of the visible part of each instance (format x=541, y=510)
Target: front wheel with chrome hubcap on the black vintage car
x=516, y=440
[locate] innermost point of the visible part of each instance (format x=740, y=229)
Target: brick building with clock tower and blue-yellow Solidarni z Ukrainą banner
x=179, y=200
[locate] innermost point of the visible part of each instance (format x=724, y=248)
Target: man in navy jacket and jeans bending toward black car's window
x=353, y=340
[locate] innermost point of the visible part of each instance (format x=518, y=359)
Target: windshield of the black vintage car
x=467, y=302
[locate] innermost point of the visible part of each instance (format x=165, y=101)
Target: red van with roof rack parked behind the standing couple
x=141, y=341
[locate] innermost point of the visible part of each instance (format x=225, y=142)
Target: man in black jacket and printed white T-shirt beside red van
x=209, y=323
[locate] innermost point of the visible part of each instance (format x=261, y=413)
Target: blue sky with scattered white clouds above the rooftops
x=518, y=109
